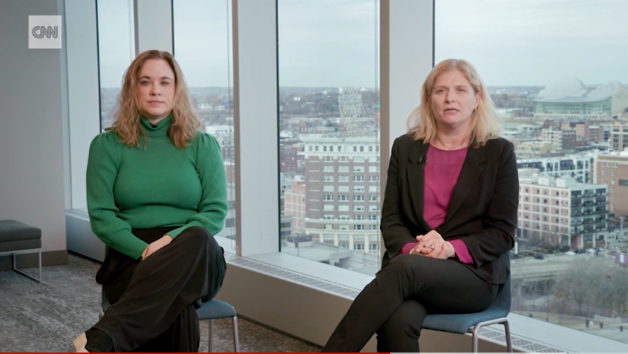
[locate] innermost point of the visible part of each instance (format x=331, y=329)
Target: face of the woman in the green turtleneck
x=155, y=90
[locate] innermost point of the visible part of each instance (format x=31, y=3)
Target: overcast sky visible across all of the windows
x=333, y=42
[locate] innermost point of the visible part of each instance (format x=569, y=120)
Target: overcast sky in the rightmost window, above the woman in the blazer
x=536, y=42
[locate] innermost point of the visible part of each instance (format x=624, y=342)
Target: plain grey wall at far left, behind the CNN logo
x=32, y=125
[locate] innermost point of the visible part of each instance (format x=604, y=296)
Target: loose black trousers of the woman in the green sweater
x=153, y=300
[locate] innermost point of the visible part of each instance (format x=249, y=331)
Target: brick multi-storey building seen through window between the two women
x=342, y=191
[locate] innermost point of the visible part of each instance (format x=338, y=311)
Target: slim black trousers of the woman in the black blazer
x=395, y=303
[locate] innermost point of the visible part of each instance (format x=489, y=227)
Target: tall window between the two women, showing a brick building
x=329, y=125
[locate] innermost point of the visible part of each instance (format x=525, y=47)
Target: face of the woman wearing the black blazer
x=453, y=100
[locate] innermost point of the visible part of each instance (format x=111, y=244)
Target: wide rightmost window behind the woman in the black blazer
x=556, y=71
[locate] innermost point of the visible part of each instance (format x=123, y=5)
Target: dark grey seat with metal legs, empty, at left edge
x=17, y=238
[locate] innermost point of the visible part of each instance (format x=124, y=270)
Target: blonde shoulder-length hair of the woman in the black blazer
x=421, y=123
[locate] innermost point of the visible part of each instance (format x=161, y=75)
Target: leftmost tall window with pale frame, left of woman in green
x=100, y=45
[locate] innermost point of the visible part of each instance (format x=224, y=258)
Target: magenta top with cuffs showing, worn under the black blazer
x=440, y=171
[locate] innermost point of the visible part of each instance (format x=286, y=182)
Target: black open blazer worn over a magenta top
x=482, y=211
